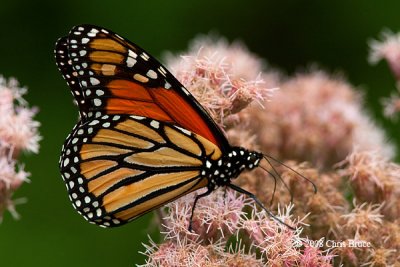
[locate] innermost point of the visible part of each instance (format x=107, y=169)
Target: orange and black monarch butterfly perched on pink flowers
x=142, y=139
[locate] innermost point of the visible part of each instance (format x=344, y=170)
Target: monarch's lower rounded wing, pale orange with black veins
x=118, y=167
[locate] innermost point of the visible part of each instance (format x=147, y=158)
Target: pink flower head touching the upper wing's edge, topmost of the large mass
x=224, y=77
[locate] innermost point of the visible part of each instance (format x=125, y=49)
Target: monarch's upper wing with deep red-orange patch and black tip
x=118, y=77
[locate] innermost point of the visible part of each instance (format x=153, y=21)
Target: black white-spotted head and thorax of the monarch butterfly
x=220, y=172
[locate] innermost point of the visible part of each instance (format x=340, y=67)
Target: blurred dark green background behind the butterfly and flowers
x=290, y=35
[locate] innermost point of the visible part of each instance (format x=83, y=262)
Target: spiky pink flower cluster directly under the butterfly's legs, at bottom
x=225, y=235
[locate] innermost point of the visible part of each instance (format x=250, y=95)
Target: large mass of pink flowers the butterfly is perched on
x=317, y=125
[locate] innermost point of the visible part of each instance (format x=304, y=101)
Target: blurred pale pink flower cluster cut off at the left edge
x=18, y=132
